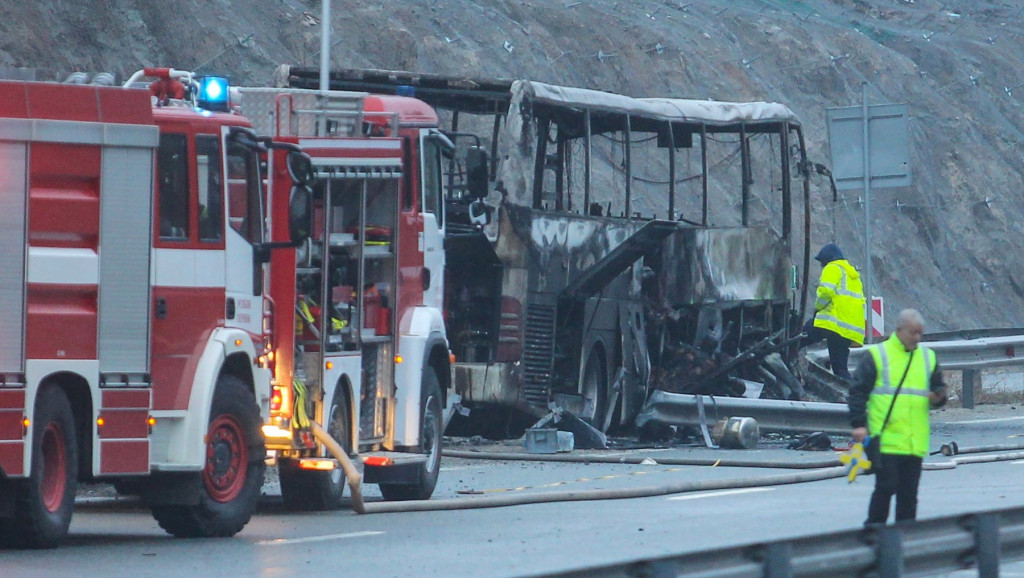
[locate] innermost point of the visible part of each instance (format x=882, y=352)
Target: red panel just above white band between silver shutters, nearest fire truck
x=64, y=198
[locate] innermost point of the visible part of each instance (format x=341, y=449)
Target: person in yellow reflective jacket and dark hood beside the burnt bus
x=839, y=306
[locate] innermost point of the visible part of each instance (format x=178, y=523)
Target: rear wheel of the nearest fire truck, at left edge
x=44, y=503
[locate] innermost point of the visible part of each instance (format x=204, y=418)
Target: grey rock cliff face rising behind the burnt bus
x=952, y=244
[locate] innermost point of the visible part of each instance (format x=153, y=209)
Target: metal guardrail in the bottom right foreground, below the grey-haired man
x=932, y=547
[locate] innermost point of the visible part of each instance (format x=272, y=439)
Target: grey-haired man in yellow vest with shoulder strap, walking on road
x=895, y=387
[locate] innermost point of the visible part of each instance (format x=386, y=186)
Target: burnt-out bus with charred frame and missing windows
x=627, y=245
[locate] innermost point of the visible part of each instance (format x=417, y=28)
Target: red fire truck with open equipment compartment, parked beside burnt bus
x=366, y=353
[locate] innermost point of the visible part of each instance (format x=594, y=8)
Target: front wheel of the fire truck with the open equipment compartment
x=432, y=423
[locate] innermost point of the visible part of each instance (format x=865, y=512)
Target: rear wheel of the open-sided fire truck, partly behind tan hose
x=320, y=491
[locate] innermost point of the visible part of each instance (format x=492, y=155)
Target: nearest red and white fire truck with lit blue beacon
x=135, y=320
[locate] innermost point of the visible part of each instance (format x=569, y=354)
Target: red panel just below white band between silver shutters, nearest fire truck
x=62, y=322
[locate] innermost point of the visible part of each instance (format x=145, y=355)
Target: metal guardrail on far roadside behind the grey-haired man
x=969, y=356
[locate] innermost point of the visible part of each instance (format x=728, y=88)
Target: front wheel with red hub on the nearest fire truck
x=231, y=483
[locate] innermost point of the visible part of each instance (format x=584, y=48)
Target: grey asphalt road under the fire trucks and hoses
x=121, y=540
